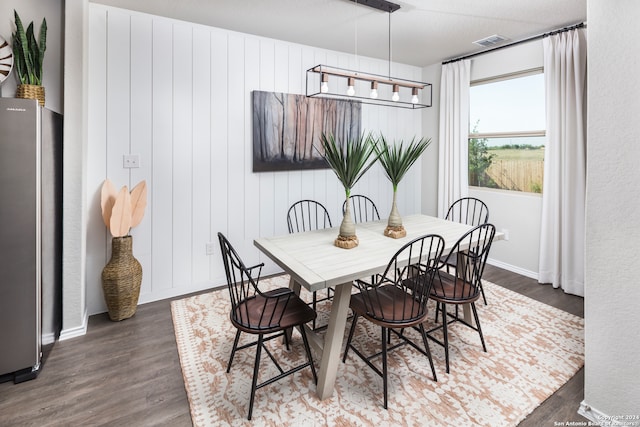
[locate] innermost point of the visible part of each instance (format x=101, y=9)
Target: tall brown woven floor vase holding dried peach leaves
x=121, y=280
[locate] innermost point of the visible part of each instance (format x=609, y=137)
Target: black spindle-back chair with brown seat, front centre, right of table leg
x=397, y=300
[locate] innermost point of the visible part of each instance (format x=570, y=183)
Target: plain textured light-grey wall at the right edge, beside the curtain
x=612, y=294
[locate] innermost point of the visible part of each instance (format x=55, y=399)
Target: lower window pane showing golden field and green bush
x=515, y=164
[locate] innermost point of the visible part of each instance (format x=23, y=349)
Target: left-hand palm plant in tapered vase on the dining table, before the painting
x=349, y=162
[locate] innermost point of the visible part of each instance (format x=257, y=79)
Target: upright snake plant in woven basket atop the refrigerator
x=28, y=56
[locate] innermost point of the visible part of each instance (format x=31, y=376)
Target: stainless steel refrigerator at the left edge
x=30, y=236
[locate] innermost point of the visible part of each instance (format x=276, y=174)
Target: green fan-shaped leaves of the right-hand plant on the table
x=397, y=159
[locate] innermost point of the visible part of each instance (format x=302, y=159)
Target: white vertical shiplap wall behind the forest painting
x=179, y=95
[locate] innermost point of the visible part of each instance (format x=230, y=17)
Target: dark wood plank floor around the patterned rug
x=128, y=373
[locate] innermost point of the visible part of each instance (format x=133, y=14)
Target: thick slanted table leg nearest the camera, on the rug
x=333, y=340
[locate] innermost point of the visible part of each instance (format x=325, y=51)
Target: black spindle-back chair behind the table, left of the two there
x=306, y=215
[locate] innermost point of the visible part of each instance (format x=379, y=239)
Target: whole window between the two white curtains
x=507, y=132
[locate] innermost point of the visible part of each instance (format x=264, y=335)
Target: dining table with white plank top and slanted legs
x=313, y=261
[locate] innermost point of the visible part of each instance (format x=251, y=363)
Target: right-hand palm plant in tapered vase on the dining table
x=397, y=159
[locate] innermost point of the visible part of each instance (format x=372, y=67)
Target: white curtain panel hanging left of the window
x=453, y=158
